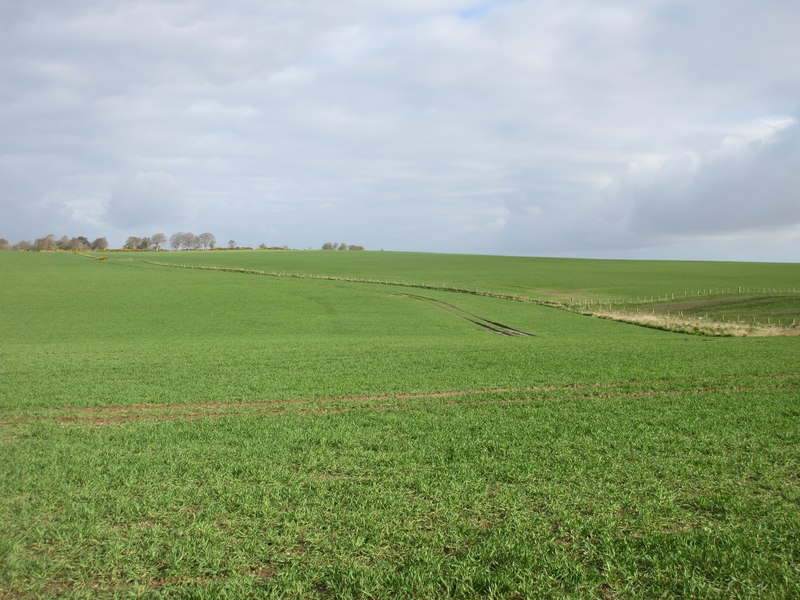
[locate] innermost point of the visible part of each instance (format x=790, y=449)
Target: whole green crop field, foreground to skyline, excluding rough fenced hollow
x=189, y=432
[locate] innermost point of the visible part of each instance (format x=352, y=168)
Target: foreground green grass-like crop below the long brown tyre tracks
x=572, y=497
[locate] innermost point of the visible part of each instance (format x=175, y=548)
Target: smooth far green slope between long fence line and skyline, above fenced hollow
x=557, y=277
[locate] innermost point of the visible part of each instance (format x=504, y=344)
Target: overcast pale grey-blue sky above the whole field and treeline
x=652, y=129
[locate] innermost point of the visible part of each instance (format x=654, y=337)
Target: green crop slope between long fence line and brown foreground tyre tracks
x=90, y=333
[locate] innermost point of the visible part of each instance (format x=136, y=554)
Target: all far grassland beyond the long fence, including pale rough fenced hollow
x=722, y=298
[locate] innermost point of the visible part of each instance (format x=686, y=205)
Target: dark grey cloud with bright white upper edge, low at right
x=747, y=184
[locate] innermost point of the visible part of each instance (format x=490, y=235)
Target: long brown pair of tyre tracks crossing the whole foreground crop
x=107, y=415
